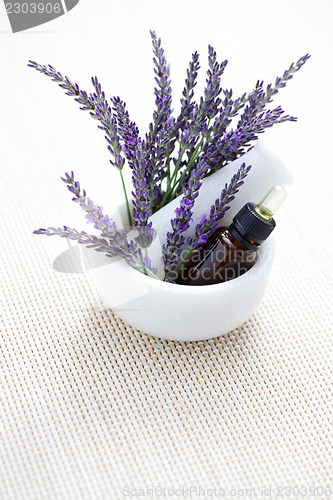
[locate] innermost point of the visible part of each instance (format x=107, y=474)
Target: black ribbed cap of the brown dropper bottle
x=251, y=227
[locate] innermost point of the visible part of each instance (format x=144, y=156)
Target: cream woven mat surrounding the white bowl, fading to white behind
x=88, y=405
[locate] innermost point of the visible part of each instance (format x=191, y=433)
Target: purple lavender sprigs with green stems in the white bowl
x=173, y=157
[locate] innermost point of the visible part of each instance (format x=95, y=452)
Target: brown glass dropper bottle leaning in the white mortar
x=230, y=252
